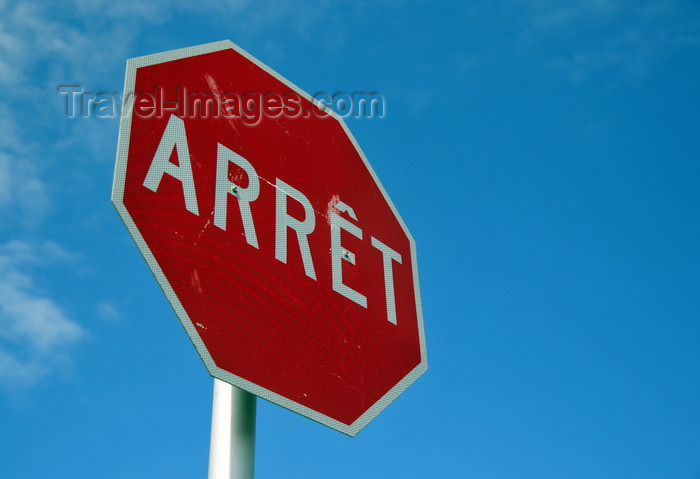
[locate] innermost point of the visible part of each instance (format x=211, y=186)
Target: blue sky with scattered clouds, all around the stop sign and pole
x=544, y=155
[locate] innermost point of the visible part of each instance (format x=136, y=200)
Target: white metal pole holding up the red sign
x=232, y=447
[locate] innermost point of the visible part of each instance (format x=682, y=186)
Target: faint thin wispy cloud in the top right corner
x=586, y=37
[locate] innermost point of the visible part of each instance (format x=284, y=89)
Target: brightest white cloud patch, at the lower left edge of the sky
x=35, y=332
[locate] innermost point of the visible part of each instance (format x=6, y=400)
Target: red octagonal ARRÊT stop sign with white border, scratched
x=270, y=234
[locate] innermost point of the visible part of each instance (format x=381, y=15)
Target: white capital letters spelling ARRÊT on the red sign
x=174, y=138
